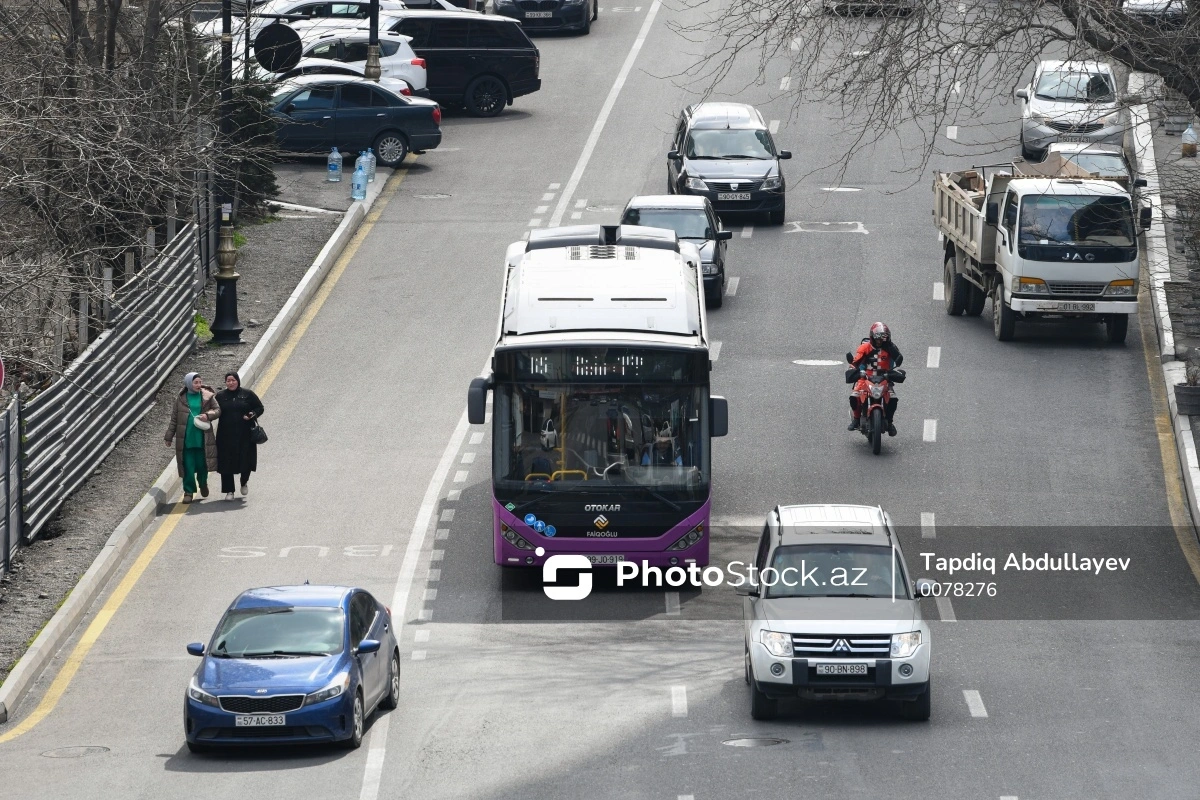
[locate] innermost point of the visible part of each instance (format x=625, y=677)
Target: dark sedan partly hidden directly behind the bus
x=693, y=220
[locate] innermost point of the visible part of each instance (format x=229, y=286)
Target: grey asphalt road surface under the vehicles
x=1072, y=689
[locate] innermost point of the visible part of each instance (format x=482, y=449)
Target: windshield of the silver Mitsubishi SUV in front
x=836, y=572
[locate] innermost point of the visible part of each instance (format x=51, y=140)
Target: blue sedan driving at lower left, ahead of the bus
x=293, y=665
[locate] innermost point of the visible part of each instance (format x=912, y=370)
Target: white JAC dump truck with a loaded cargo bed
x=1043, y=245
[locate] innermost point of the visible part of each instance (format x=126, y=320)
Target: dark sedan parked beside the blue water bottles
x=320, y=112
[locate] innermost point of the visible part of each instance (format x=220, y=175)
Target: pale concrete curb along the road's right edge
x=1160, y=269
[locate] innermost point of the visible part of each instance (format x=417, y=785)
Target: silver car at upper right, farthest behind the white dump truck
x=1070, y=101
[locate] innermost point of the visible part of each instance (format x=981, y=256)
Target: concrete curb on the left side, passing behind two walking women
x=158, y=500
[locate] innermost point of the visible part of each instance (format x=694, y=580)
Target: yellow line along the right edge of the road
x=1177, y=498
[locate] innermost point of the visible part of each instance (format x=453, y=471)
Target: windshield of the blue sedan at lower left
x=279, y=631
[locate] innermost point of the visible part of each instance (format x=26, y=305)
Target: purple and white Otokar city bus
x=602, y=420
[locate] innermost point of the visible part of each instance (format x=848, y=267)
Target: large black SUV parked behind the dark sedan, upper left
x=476, y=62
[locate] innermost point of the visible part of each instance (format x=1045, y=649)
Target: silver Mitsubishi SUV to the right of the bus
x=833, y=613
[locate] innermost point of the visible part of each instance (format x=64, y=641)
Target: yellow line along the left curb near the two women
x=59, y=687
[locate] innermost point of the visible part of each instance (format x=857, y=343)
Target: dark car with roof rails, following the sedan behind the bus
x=724, y=152
